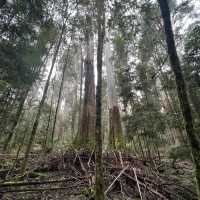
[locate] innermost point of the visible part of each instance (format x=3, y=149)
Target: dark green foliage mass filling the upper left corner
x=25, y=32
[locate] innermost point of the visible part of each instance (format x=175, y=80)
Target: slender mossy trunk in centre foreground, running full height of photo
x=99, y=192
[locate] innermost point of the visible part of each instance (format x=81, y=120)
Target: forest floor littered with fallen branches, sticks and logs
x=70, y=175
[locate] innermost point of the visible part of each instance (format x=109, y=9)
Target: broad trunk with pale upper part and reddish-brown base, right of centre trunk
x=115, y=127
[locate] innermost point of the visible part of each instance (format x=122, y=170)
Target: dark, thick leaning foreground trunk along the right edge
x=181, y=89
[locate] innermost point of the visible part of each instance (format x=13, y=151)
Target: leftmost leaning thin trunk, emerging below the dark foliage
x=17, y=117
